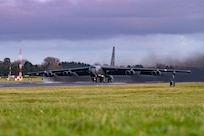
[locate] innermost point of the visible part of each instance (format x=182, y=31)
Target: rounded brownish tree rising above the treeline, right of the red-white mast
x=51, y=63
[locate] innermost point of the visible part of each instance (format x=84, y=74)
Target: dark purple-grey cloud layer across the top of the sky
x=92, y=19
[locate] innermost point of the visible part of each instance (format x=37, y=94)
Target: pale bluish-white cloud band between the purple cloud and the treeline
x=147, y=50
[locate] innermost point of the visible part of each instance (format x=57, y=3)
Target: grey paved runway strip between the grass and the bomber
x=58, y=84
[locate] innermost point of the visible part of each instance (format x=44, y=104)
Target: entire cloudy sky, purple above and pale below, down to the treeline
x=143, y=31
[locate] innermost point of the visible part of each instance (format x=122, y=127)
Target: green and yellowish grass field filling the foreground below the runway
x=155, y=109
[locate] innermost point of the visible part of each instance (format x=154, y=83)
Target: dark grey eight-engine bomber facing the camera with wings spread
x=99, y=73
